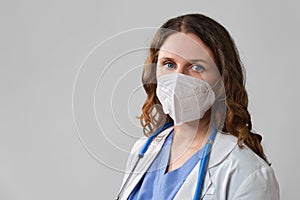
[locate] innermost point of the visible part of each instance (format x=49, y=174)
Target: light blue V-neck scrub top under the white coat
x=159, y=185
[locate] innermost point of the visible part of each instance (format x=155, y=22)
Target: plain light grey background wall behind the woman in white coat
x=53, y=149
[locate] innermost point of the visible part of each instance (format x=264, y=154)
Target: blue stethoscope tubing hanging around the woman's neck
x=203, y=163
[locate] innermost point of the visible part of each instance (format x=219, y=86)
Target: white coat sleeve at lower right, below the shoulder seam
x=260, y=185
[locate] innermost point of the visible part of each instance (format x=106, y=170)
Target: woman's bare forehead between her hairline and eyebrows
x=186, y=45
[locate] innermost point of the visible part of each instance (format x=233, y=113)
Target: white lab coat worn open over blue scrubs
x=232, y=173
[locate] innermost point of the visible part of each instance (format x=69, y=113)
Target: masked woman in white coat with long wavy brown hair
x=199, y=143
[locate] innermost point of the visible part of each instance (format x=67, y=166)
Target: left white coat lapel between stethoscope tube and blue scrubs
x=146, y=161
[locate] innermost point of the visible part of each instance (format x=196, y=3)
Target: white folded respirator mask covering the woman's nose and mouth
x=183, y=97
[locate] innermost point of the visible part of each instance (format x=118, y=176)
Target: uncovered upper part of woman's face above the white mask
x=187, y=54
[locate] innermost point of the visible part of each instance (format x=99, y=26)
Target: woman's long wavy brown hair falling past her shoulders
x=237, y=118
